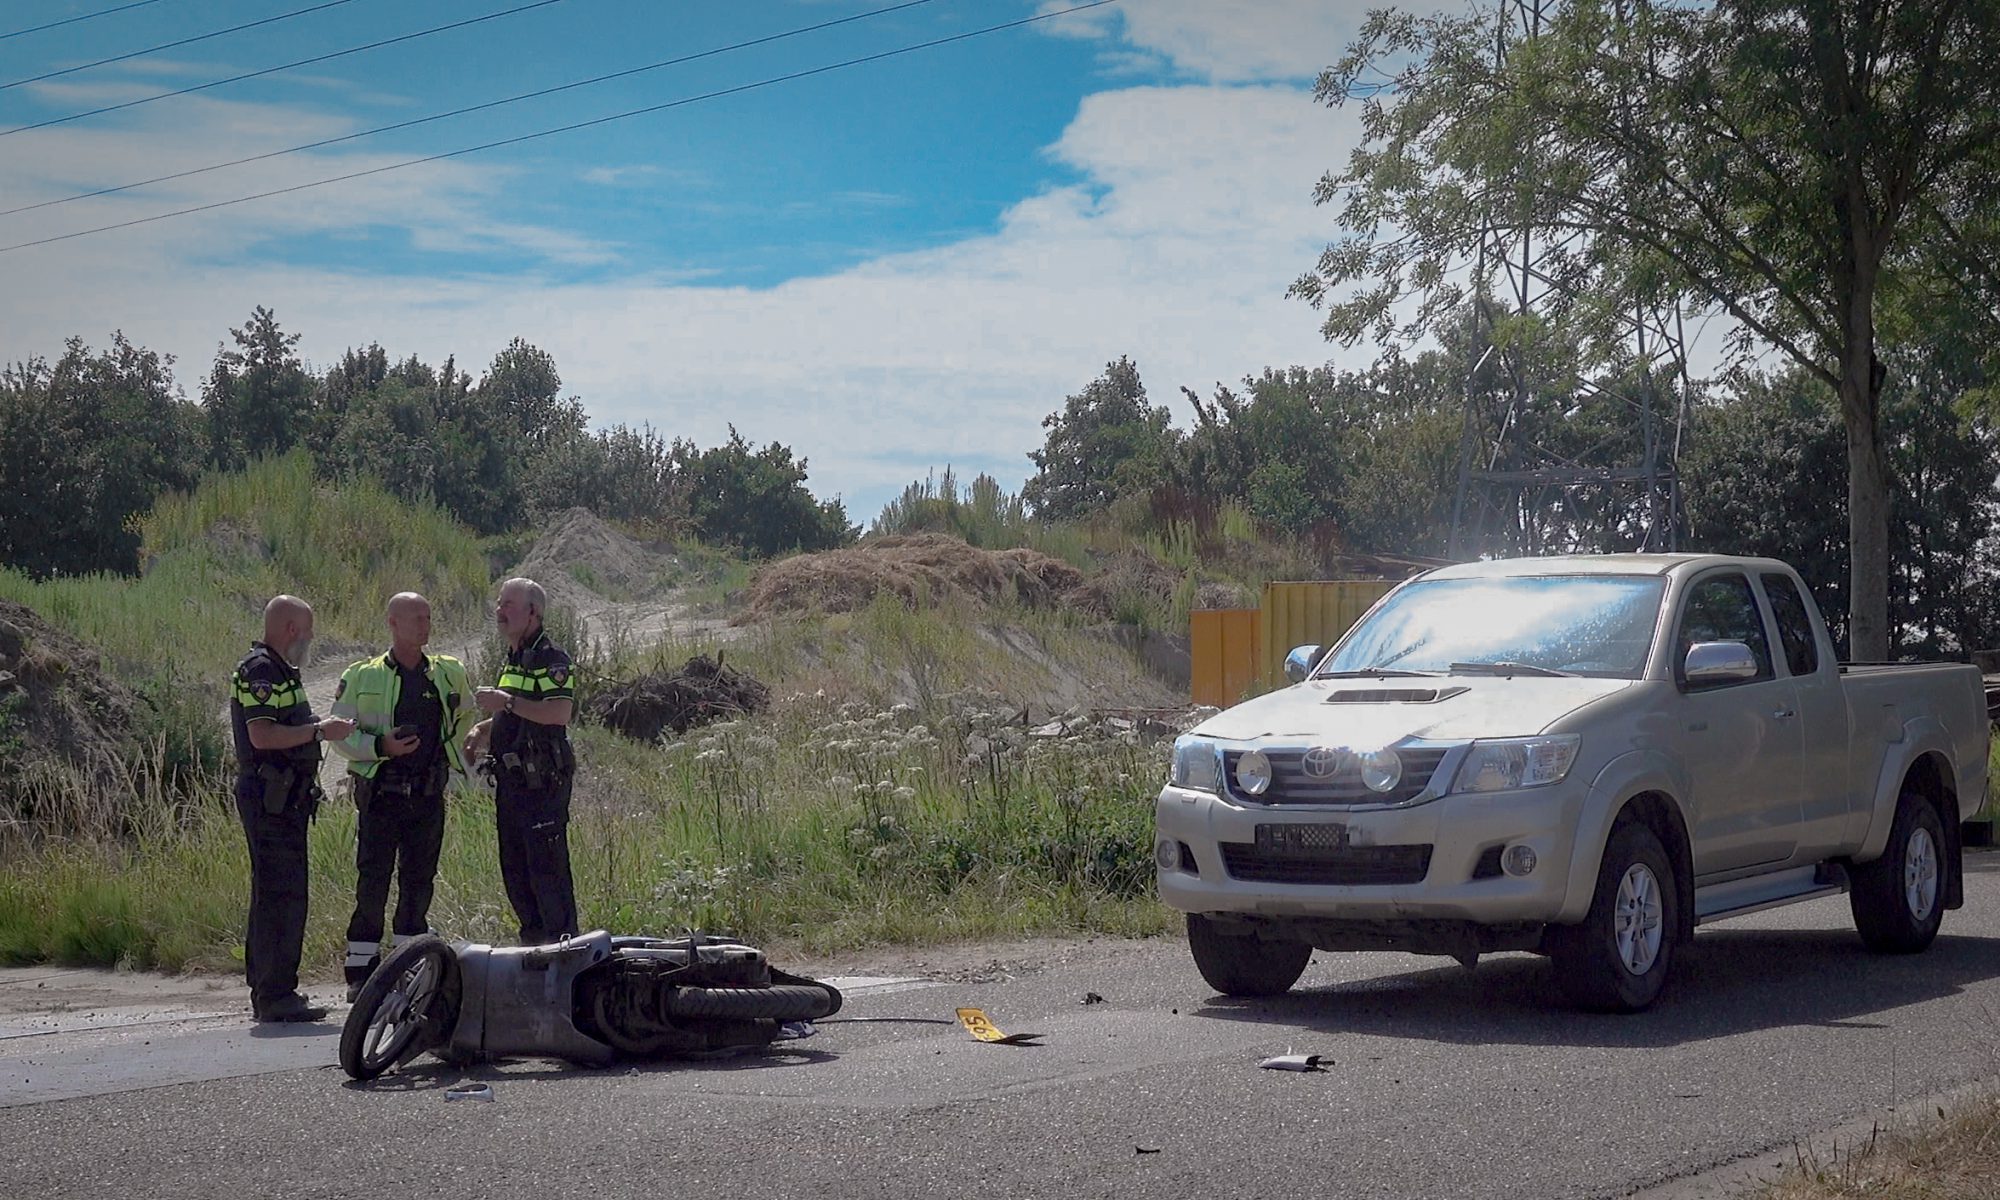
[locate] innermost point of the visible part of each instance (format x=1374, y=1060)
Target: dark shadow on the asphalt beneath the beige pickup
x=1727, y=983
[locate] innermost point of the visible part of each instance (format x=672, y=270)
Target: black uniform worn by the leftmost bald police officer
x=277, y=797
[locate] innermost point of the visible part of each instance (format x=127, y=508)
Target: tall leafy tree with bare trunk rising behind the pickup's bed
x=1791, y=163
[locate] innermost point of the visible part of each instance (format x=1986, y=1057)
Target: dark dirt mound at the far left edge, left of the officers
x=57, y=709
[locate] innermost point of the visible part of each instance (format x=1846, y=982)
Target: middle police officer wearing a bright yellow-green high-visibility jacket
x=411, y=711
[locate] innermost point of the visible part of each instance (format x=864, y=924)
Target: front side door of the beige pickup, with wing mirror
x=1741, y=739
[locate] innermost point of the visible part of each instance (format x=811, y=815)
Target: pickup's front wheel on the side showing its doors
x=1619, y=959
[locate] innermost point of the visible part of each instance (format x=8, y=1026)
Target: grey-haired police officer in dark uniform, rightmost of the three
x=529, y=739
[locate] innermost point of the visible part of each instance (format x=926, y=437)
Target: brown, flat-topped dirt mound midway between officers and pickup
x=921, y=569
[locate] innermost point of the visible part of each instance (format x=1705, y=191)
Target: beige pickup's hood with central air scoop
x=1381, y=713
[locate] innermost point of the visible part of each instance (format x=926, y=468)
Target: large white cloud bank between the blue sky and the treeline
x=1191, y=219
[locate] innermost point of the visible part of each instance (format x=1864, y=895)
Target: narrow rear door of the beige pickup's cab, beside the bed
x=1823, y=717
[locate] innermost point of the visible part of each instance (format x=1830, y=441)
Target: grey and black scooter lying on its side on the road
x=589, y=999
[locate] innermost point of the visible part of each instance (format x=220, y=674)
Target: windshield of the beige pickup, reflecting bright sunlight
x=1571, y=625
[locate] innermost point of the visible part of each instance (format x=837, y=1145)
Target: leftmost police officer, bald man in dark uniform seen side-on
x=277, y=793
